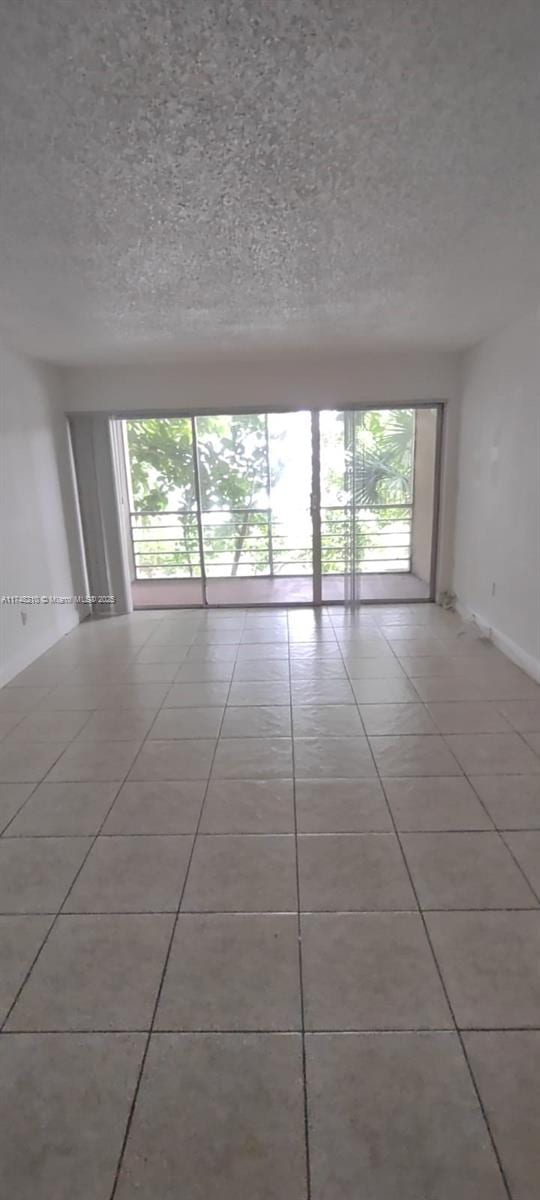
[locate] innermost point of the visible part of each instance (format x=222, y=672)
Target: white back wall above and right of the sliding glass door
x=290, y=379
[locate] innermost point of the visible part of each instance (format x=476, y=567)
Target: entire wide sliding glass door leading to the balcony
x=284, y=508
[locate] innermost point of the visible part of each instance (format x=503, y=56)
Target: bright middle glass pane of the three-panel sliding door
x=255, y=473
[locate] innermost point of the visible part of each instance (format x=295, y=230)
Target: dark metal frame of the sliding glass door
x=315, y=503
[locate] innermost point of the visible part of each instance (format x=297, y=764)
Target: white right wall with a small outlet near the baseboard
x=497, y=550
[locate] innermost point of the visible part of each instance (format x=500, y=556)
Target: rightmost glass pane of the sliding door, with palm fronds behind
x=377, y=478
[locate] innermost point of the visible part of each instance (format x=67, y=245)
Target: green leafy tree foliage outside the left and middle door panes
x=235, y=478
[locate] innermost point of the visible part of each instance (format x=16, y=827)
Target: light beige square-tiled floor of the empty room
x=271, y=911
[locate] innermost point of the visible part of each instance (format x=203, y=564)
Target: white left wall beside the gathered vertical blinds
x=38, y=513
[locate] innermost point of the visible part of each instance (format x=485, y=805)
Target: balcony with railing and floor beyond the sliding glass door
x=250, y=556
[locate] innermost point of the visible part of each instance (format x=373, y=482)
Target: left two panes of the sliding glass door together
x=220, y=509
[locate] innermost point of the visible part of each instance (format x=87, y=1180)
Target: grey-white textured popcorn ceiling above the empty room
x=177, y=173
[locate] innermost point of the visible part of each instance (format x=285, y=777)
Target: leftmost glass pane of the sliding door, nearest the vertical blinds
x=164, y=512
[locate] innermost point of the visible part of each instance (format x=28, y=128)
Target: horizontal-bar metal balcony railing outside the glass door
x=237, y=543
